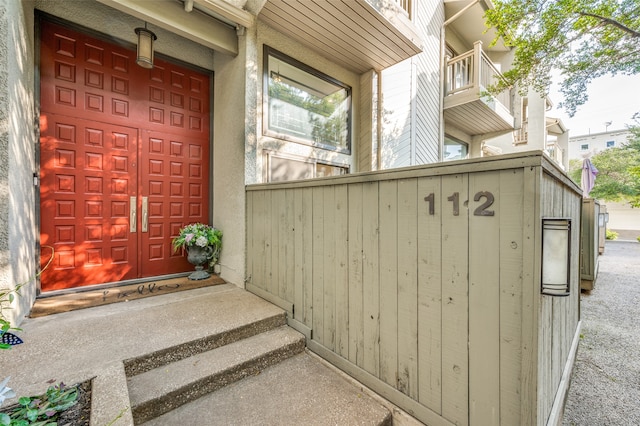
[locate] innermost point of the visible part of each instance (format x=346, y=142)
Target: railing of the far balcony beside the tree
x=463, y=74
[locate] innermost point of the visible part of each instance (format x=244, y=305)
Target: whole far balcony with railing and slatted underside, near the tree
x=467, y=105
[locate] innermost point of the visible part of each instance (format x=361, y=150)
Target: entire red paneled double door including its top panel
x=124, y=160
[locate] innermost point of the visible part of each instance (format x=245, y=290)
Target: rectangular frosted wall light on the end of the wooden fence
x=556, y=253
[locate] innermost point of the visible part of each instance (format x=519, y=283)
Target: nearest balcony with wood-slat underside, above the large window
x=359, y=35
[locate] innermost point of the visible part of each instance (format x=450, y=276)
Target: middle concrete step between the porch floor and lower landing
x=159, y=390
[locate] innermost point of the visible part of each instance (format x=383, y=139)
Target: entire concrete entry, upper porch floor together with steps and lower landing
x=209, y=356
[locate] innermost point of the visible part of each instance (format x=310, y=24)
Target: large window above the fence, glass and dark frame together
x=304, y=105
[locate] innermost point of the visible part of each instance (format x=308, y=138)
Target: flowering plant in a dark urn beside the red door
x=202, y=244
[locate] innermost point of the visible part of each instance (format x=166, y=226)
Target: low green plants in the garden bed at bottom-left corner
x=42, y=409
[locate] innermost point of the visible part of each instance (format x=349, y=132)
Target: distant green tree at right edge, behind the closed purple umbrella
x=618, y=176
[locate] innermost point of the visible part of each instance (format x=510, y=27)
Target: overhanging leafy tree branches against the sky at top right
x=583, y=39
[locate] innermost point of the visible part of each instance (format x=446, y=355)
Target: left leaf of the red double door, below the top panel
x=88, y=174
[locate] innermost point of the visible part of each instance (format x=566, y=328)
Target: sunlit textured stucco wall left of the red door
x=17, y=163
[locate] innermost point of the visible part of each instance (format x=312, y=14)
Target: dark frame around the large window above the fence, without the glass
x=266, y=131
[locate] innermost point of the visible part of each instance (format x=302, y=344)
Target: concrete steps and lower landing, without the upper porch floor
x=254, y=373
